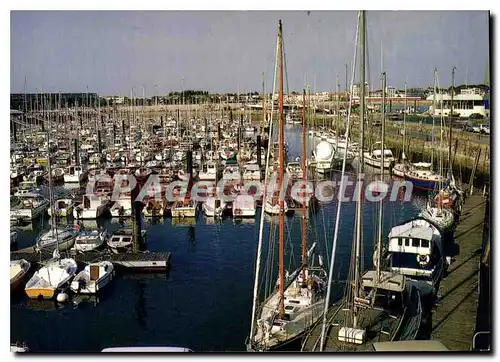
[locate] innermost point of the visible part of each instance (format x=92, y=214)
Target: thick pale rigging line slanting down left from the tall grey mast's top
x=339, y=204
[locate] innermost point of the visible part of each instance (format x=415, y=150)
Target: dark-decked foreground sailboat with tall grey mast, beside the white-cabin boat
x=378, y=305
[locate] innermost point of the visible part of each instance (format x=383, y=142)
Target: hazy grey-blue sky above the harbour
x=115, y=52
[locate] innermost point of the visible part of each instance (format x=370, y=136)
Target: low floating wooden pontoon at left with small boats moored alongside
x=142, y=261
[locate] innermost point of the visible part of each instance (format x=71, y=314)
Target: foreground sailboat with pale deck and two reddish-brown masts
x=297, y=302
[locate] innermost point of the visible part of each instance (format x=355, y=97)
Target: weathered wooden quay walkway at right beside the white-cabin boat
x=454, y=315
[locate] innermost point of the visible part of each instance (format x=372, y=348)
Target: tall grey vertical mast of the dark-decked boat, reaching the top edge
x=359, y=214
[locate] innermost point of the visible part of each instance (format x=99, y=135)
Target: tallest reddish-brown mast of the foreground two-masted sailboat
x=281, y=176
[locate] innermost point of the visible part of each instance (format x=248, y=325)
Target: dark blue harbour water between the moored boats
x=204, y=302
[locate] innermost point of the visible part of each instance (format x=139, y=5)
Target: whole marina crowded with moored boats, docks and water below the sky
x=257, y=221
